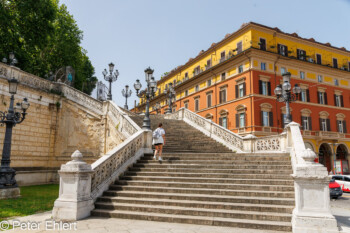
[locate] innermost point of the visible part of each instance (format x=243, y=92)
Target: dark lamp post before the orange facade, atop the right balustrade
x=284, y=94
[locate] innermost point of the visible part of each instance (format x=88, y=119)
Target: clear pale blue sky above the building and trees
x=163, y=34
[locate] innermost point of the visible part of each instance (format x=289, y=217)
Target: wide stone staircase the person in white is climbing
x=200, y=181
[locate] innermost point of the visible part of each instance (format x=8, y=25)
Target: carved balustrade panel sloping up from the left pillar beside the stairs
x=115, y=161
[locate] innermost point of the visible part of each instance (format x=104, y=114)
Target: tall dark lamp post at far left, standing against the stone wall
x=14, y=115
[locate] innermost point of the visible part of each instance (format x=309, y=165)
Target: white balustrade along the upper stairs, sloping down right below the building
x=213, y=130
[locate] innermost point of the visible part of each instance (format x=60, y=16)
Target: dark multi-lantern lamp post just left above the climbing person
x=150, y=90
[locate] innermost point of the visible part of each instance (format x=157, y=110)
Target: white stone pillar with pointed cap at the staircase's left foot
x=74, y=201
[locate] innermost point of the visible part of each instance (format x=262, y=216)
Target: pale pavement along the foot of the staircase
x=100, y=225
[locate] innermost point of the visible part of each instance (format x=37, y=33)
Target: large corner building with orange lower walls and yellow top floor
x=232, y=83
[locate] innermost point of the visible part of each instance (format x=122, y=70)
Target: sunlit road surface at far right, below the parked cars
x=341, y=210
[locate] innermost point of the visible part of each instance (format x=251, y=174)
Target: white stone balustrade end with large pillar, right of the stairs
x=312, y=208
